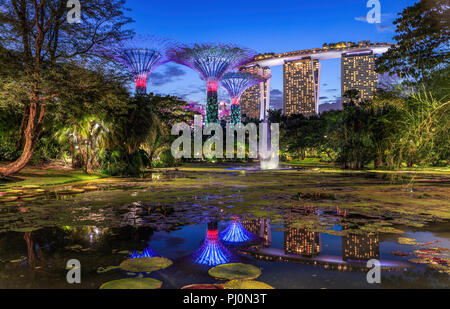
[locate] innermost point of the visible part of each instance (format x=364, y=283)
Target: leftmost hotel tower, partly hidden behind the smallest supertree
x=255, y=102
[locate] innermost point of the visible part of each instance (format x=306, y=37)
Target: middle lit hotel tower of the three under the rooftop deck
x=301, y=87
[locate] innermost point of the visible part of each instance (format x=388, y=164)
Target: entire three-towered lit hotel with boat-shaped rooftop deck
x=301, y=77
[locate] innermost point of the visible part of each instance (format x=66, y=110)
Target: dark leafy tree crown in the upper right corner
x=423, y=35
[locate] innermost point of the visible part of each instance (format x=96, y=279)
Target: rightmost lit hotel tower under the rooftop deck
x=358, y=73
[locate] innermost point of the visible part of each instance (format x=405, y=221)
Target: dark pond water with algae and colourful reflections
x=316, y=238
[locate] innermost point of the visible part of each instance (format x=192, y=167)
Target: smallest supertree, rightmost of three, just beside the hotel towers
x=236, y=83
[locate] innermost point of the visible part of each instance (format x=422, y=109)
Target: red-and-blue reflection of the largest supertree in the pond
x=212, y=252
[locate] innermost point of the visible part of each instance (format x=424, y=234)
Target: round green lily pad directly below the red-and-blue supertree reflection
x=235, y=271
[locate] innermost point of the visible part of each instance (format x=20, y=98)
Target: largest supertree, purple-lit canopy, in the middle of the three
x=212, y=62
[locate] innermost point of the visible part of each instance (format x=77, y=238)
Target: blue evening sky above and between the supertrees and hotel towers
x=265, y=26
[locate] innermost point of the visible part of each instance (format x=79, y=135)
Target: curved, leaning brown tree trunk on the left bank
x=31, y=134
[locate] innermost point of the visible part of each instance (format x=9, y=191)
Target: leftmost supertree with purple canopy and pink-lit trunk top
x=141, y=55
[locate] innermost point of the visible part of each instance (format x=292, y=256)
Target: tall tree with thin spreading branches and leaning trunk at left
x=39, y=31
